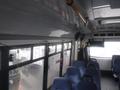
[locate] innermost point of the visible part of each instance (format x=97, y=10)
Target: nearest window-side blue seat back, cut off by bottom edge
x=61, y=83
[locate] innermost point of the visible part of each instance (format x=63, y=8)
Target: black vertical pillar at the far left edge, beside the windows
x=4, y=73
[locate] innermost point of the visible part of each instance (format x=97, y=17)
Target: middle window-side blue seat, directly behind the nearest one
x=73, y=76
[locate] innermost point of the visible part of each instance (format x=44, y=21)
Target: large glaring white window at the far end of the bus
x=109, y=49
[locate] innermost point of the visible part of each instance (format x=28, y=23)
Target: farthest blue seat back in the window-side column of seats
x=81, y=66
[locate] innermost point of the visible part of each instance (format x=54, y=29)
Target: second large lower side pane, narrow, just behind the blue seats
x=53, y=68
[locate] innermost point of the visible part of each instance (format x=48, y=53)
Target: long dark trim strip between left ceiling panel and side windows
x=30, y=37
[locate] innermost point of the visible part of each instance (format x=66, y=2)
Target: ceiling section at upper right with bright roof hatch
x=106, y=14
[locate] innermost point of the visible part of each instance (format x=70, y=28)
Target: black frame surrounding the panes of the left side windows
x=31, y=60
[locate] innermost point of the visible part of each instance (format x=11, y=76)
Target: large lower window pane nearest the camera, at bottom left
x=29, y=77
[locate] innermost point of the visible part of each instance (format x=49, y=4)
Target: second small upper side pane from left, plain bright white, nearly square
x=38, y=51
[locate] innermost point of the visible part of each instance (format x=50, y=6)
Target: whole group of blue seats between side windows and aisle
x=79, y=76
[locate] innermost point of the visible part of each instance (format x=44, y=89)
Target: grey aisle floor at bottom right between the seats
x=108, y=83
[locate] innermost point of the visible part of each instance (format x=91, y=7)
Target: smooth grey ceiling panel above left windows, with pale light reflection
x=32, y=17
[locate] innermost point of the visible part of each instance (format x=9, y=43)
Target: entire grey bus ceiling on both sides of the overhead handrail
x=53, y=18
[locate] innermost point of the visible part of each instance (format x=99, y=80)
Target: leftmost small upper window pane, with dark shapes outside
x=19, y=55
